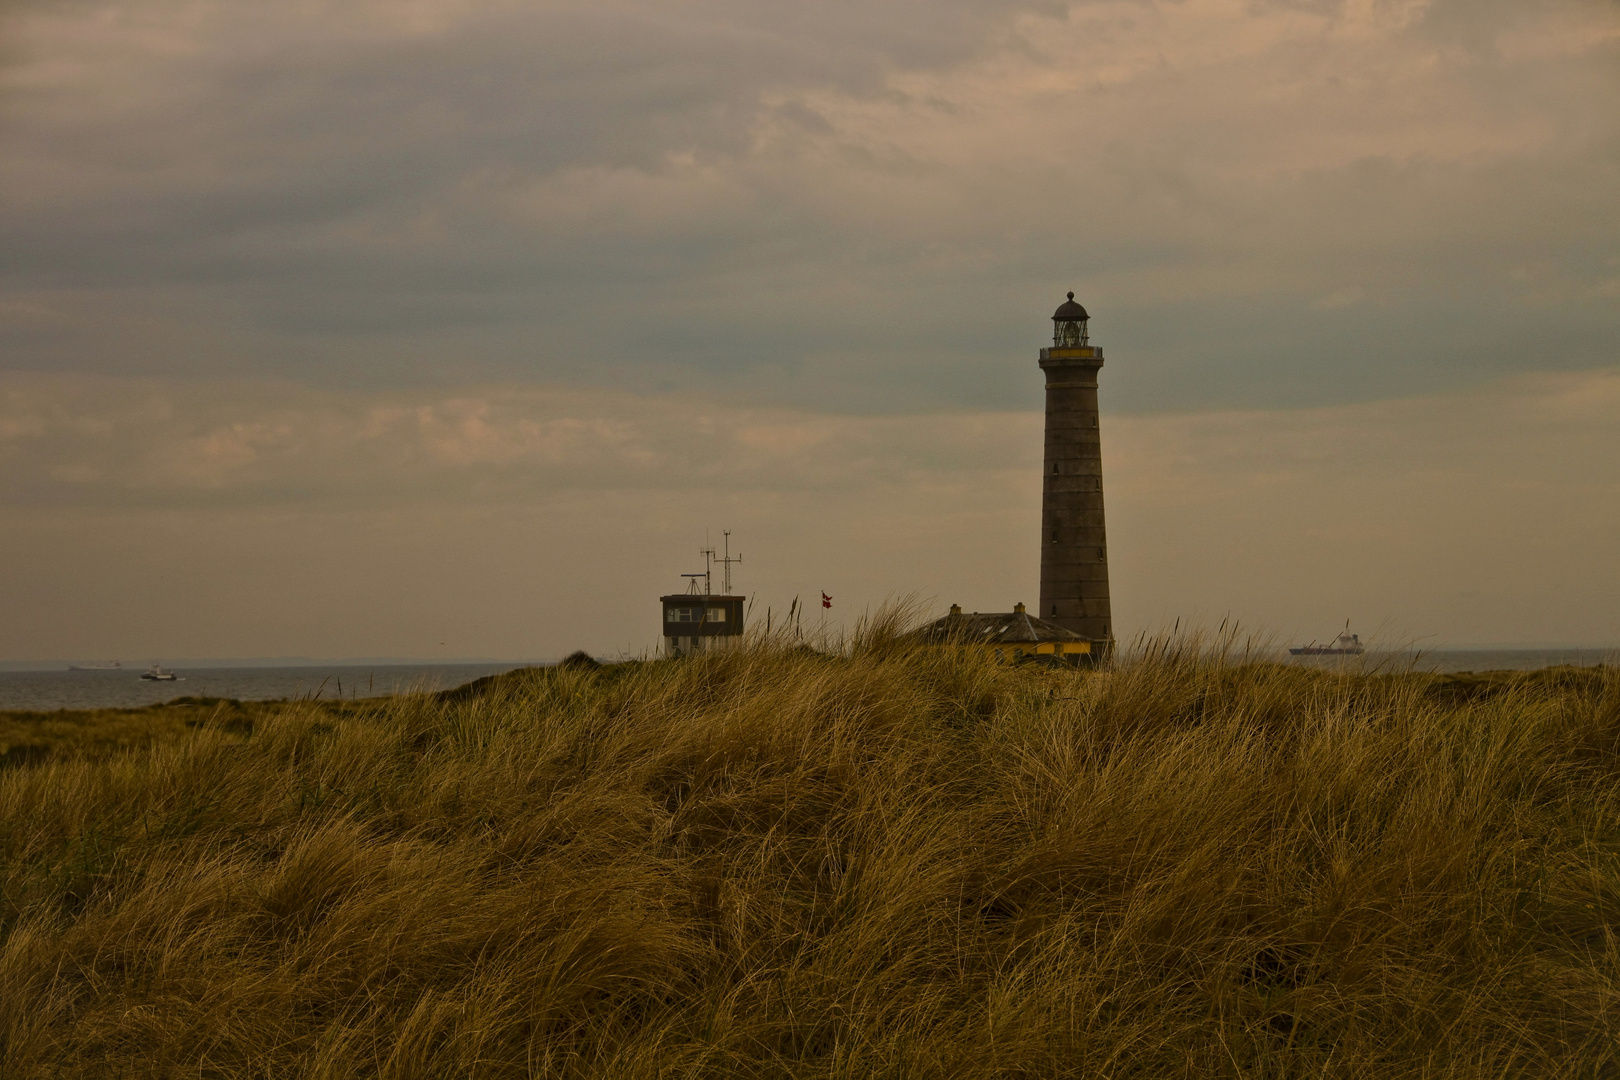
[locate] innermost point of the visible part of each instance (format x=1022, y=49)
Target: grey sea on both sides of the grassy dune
x=124, y=689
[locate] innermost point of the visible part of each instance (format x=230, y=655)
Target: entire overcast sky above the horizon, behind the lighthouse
x=458, y=328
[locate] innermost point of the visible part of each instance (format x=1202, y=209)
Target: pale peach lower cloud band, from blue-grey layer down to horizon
x=297, y=522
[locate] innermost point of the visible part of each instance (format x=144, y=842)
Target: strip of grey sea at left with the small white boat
x=126, y=689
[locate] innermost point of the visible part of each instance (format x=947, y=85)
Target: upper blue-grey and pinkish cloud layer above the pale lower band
x=855, y=206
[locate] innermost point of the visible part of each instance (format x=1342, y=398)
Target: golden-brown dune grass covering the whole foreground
x=880, y=864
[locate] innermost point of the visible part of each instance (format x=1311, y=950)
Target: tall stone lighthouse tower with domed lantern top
x=1073, y=542
